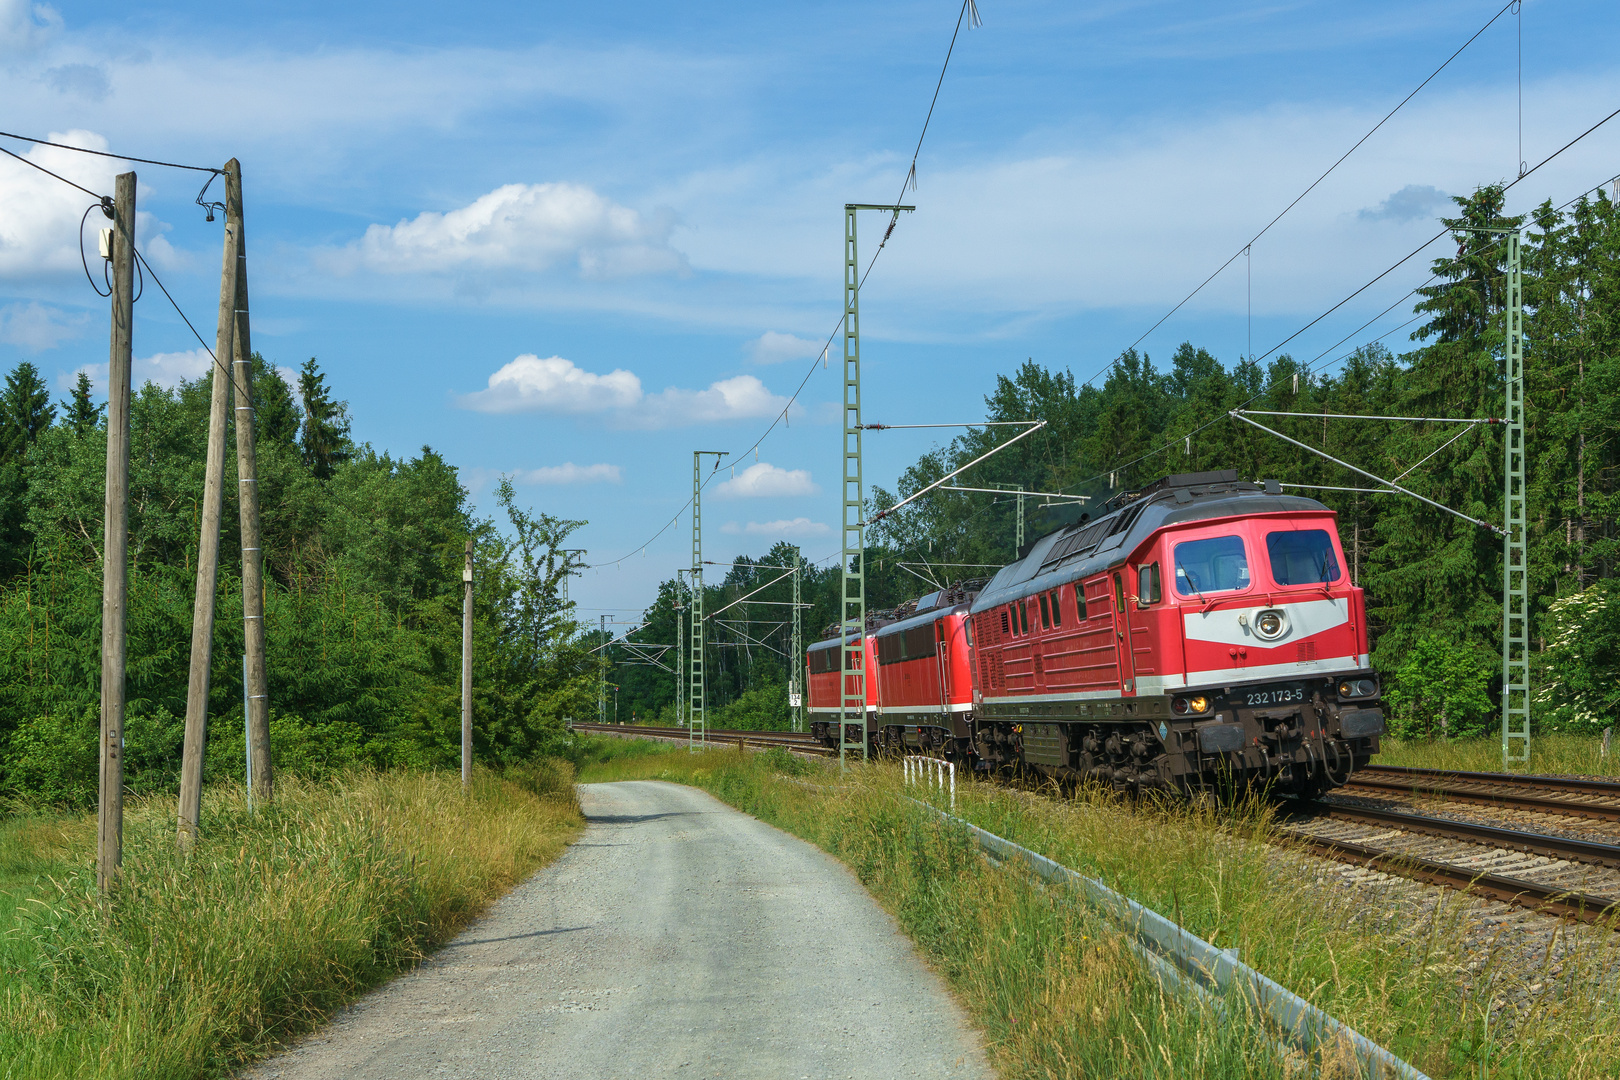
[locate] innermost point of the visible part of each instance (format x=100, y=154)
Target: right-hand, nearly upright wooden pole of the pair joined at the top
x=249, y=498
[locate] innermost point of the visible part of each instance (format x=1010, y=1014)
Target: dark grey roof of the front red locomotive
x=1083, y=550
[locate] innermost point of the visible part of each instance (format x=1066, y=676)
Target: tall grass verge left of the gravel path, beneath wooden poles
x=279, y=917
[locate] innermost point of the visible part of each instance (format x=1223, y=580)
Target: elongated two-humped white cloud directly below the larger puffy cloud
x=531, y=385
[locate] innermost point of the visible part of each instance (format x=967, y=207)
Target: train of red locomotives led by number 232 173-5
x=1203, y=631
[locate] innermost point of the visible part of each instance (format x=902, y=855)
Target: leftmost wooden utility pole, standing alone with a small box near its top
x=116, y=538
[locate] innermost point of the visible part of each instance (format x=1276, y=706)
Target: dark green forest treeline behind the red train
x=1433, y=580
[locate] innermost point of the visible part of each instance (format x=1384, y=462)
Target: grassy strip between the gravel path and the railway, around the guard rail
x=1057, y=993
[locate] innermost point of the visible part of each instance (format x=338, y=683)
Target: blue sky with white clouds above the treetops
x=576, y=242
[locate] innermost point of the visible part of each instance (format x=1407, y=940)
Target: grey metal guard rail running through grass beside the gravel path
x=1195, y=964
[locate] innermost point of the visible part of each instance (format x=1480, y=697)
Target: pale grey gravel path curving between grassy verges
x=678, y=938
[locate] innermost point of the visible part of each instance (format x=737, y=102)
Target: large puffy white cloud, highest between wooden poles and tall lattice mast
x=526, y=227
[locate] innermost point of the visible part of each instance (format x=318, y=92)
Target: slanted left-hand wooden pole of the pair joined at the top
x=208, y=538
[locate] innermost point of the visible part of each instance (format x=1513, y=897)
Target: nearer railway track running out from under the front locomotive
x=1546, y=874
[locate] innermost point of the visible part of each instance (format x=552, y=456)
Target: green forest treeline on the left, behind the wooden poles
x=364, y=595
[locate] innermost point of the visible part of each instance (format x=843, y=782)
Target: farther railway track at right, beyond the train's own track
x=1538, y=794
